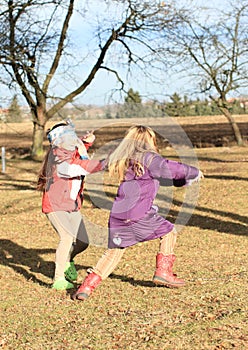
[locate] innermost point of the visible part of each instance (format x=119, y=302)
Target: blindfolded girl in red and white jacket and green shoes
x=61, y=180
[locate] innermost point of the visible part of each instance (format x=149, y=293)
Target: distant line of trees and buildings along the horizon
x=133, y=107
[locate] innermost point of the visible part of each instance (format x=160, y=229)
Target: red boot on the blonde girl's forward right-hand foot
x=164, y=274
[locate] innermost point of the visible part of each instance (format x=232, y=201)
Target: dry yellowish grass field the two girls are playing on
x=127, y=311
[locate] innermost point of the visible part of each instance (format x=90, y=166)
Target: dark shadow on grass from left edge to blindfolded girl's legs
x=26, y=262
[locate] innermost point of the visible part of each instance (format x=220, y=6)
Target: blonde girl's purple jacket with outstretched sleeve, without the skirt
x=135, y=195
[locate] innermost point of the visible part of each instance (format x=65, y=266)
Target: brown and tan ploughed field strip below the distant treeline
x=199, y=132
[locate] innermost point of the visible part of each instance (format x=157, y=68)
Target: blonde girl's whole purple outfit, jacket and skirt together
x=130, y=218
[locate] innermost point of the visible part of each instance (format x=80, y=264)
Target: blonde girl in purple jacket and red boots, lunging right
x=133, y=217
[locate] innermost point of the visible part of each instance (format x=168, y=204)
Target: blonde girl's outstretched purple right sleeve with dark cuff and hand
x=170, y=172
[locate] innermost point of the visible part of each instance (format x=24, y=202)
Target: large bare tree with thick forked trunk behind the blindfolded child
x=36, y=51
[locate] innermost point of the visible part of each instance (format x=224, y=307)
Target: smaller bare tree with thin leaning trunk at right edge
x=213, y=51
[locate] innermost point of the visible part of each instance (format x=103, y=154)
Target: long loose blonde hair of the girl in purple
x=137, y=141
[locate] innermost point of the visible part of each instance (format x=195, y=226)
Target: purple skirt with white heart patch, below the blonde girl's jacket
x=125, y=233
